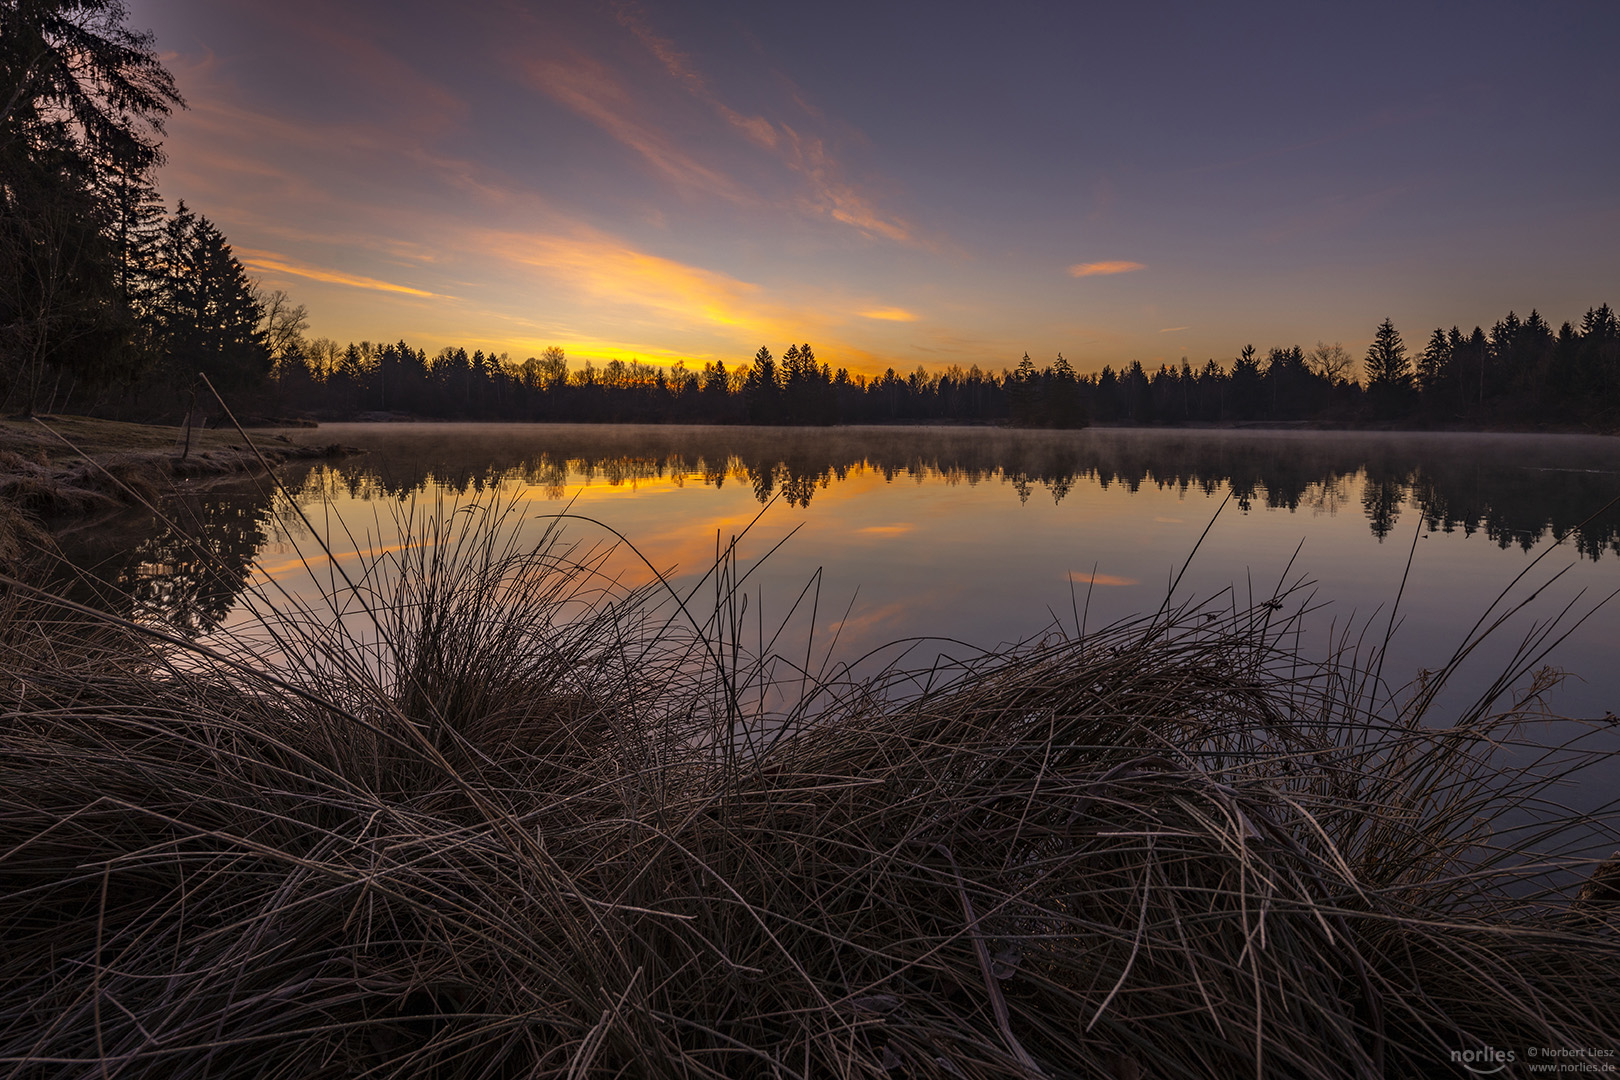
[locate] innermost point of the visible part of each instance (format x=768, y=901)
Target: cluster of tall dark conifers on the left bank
x=108, y=302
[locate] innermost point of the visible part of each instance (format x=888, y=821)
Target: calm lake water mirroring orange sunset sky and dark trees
x=950, y=540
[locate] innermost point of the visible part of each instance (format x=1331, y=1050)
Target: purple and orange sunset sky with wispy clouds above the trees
x=902, y=184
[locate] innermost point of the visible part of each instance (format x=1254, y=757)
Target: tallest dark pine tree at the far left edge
x=82, y=104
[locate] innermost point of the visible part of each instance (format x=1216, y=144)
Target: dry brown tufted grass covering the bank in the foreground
x=524, y=823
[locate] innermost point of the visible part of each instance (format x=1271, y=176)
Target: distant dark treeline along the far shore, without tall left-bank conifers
x=1517, y=373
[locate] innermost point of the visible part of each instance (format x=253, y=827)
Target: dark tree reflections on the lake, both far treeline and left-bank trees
x=190, y=571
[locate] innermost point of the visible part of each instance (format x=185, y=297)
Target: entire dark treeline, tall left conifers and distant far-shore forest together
x=111, y=305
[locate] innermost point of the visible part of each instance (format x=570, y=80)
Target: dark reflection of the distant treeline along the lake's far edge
x=1516, y=490
